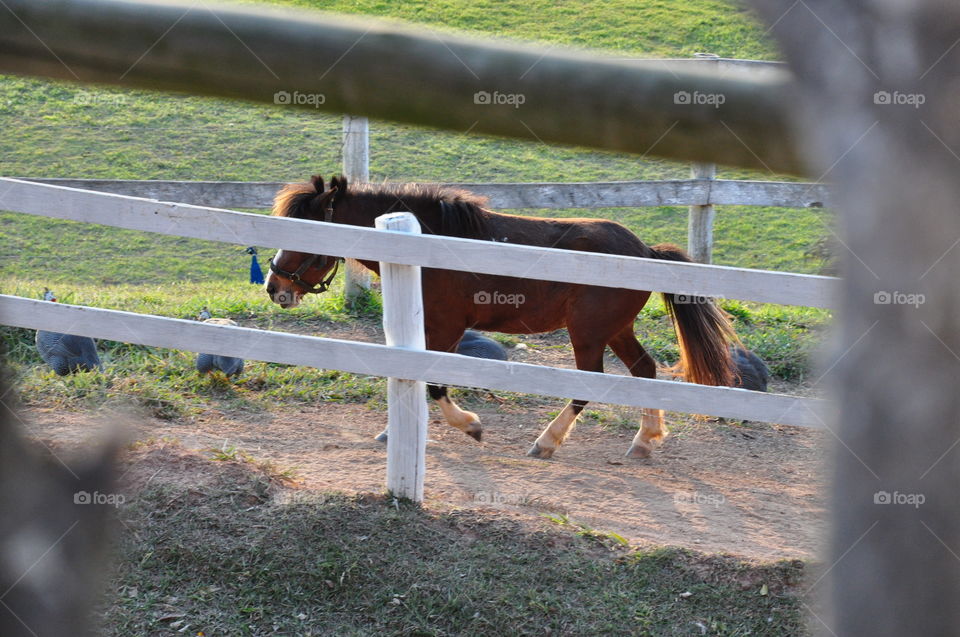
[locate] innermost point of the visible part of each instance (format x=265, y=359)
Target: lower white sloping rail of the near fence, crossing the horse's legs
x=432, y=367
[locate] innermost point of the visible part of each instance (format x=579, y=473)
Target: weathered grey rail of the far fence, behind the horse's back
x=610, y=194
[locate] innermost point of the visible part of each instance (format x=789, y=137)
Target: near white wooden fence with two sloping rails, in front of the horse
x=400, y=361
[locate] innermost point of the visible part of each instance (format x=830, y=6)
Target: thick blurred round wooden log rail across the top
x=386, y=70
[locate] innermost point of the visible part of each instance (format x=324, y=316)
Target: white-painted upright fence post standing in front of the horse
x=406, y=399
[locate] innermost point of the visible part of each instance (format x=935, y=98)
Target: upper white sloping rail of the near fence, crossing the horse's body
x=485, y=257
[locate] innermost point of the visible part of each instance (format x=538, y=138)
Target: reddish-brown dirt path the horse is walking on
x=754, y=490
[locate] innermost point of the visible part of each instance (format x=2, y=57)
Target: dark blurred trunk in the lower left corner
x=52, y=535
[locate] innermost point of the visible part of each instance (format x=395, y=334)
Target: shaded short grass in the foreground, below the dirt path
x=238, y=558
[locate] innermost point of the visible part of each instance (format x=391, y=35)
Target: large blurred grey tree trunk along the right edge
x=877, y=101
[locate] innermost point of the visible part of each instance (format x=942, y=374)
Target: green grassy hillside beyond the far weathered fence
x=54, y=129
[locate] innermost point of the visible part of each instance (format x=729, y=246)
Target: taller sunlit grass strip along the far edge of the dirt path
x=165, y=383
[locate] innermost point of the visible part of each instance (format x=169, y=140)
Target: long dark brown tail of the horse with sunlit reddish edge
x=703, y=330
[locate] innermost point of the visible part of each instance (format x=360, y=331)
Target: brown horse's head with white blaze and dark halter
x=294, y=274
